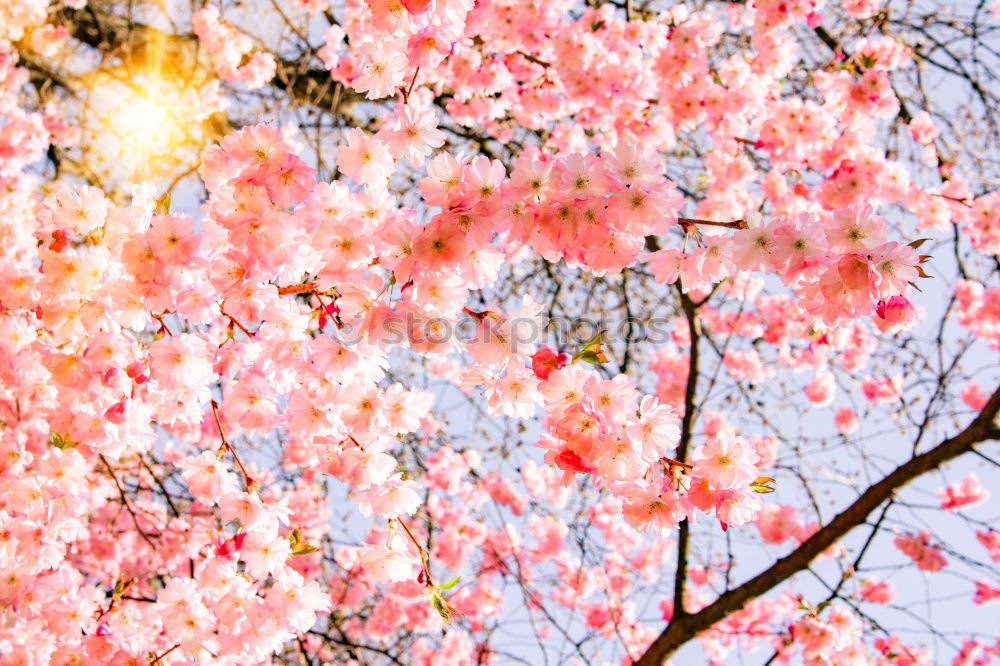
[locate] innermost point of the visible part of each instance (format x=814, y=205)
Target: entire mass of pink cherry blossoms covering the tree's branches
x=148, y=356
